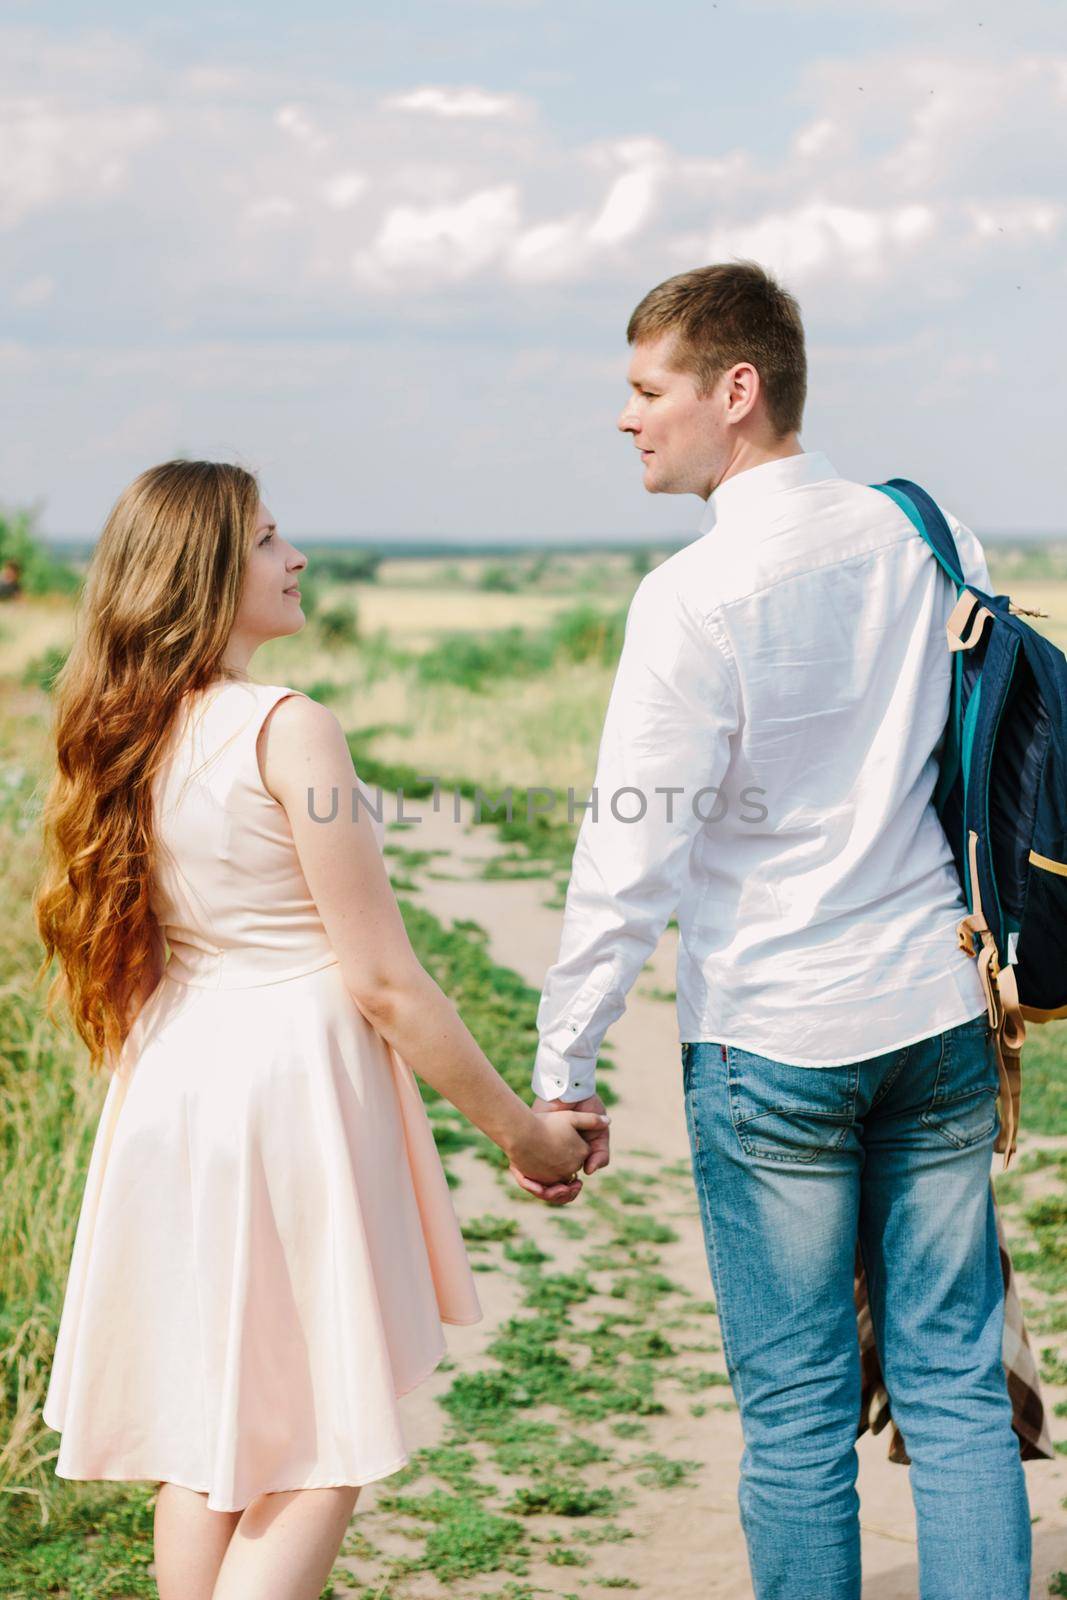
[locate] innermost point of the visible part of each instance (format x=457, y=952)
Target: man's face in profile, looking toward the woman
x=682, y=436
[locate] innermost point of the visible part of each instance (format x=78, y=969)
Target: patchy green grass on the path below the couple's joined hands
x=532, y=1412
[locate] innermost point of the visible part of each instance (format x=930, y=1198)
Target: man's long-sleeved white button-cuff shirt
x=767, y=772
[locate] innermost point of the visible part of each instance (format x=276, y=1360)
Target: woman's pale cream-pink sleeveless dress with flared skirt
x=266, y=1249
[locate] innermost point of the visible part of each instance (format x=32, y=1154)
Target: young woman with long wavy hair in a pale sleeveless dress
x=266, y=1249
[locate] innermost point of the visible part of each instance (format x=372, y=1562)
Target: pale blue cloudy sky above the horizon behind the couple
x=388, y=258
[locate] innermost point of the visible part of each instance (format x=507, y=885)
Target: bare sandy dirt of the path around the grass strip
x=689, y=1542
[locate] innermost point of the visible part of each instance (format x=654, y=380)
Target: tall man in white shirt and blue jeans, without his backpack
x=767, y=770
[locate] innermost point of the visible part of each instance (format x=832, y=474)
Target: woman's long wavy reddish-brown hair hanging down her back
x=153, y=622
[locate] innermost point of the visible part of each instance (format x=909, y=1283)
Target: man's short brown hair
x=732, y=313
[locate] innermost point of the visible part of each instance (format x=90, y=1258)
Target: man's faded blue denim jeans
x=793, y=1166
